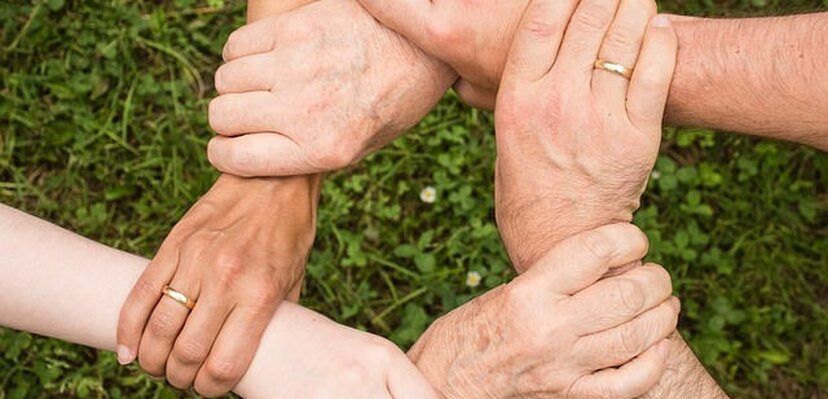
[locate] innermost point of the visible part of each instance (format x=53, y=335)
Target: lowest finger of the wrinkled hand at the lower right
x=630, y=380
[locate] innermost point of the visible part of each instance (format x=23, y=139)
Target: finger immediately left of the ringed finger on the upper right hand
x=584, y=35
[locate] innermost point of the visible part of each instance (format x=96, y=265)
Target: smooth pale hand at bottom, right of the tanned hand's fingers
x=305, y=355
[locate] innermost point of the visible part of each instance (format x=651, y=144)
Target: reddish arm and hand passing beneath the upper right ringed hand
x=758, y=76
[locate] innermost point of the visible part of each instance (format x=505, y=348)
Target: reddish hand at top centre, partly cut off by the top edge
x=473, y=37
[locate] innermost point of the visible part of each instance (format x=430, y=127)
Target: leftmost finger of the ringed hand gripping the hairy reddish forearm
x=537, y=40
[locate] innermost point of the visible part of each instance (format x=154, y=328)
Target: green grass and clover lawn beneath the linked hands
x=103, y=128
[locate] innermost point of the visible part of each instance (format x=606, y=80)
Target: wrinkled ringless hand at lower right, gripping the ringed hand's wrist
x=558, y=332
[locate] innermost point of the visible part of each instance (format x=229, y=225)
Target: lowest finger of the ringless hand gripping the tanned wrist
x=259, y=154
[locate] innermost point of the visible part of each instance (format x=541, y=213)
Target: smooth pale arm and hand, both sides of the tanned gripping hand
x=58, y=284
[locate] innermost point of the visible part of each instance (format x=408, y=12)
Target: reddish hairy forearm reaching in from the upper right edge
x=763, y=76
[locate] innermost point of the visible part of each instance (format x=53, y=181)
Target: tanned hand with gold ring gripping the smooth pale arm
x=238, y=252
